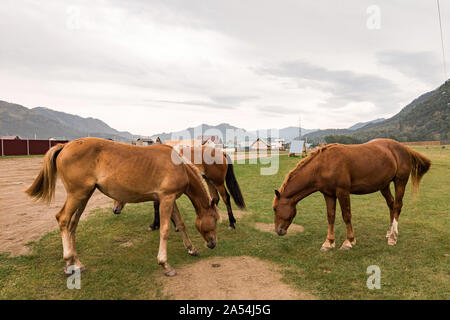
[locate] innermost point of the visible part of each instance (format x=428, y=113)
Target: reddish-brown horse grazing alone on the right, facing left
x=340, y=170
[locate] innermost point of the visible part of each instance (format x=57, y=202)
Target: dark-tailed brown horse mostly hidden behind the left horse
x=217, y=169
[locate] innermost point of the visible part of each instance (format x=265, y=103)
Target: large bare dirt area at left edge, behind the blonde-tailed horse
x=23, y=220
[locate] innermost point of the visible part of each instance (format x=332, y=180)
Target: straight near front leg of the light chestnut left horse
x=166, y=208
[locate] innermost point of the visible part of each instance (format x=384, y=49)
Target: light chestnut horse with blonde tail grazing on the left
x=129, y=174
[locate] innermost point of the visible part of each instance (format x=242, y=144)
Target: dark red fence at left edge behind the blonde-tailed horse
x=27, y=147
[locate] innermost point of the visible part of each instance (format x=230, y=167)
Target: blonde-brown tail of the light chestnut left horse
x=43, y=187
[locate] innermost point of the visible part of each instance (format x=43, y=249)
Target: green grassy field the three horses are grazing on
x=417, y=268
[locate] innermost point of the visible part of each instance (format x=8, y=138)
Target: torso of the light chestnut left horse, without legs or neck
x=124, y=172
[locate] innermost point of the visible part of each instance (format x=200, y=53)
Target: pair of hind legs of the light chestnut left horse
x=68, y=218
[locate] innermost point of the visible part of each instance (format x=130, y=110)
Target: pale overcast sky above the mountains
x=148, y=66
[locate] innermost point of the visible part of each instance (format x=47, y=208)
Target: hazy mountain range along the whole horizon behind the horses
x=425, y=118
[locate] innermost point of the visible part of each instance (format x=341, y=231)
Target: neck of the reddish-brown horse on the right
x=301, y=182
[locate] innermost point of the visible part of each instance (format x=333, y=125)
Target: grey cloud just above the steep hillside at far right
x=424, y=66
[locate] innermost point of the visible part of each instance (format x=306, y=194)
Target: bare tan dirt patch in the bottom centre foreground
x=219, y=278
